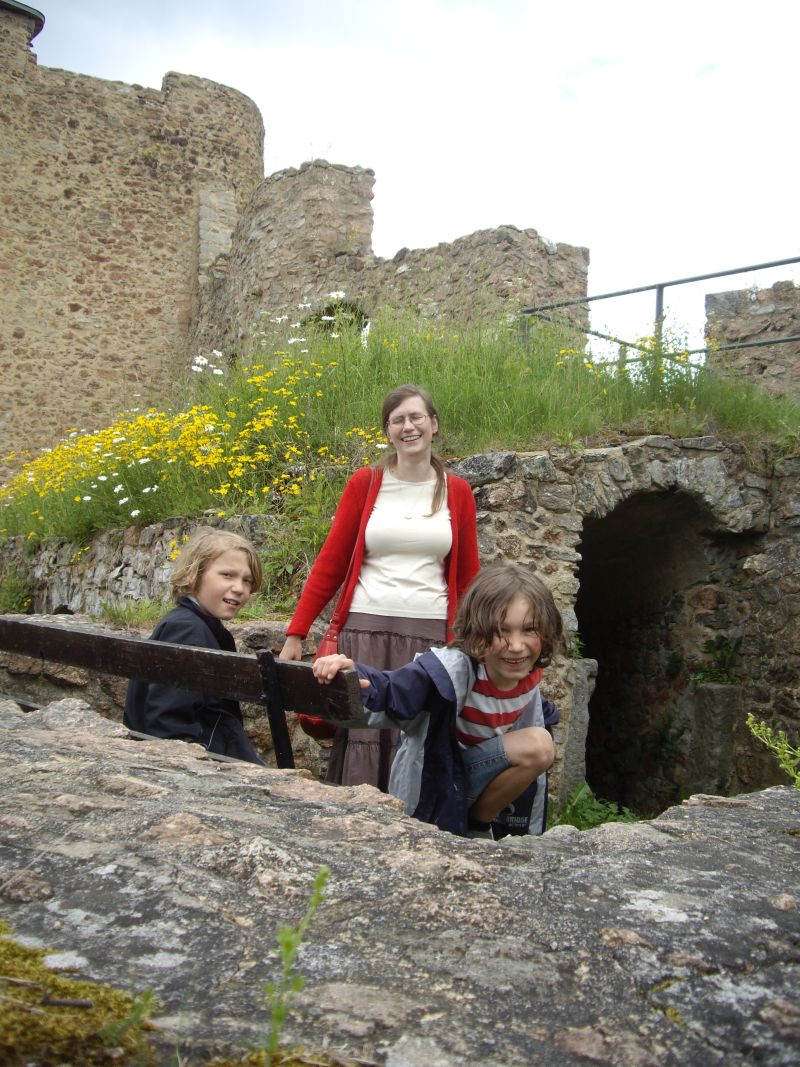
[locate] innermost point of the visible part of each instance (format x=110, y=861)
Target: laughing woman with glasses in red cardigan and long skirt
x=409, y=528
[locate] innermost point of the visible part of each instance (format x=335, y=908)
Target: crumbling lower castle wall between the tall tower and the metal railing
x=308, y=232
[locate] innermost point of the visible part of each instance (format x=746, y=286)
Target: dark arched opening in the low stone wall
x=658, y=581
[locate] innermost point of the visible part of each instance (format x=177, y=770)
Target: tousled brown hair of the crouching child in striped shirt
x=483, y=611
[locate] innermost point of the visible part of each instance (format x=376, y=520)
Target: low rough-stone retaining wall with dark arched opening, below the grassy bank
x=652, y=548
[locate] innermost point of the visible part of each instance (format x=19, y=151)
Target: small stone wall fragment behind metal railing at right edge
x=758, y=315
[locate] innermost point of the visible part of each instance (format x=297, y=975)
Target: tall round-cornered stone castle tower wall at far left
x=111, y=195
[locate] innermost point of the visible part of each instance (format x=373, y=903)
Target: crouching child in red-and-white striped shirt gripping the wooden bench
x=474, y=739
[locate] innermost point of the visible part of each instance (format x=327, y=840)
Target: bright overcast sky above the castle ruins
x=661, y=136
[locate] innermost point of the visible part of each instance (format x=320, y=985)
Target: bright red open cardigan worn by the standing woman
x=348, y=533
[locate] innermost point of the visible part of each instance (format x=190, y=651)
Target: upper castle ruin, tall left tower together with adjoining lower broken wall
x=137, y=231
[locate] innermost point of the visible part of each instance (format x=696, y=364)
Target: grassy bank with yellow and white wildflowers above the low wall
x=280, y=432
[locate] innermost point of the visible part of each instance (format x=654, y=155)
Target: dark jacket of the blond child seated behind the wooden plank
x=164, y=711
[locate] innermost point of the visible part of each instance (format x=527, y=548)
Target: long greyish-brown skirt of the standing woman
x=360, y=757
